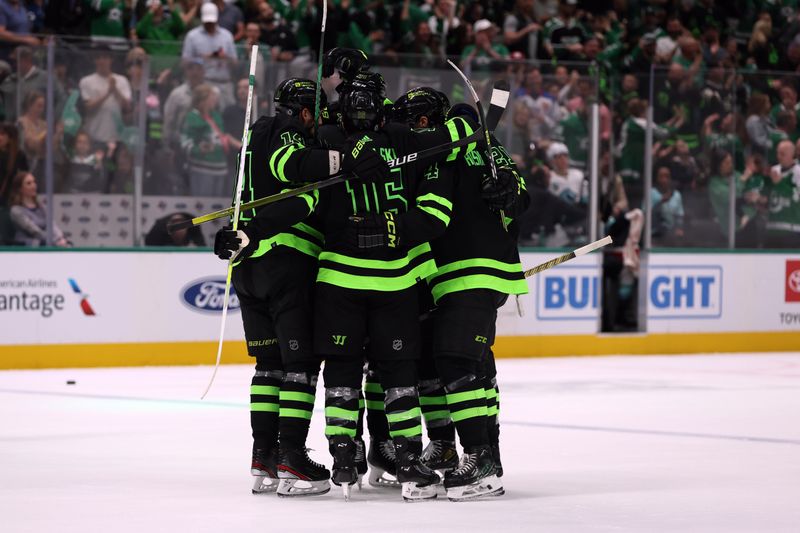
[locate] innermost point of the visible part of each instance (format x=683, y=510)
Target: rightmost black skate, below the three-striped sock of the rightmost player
x=475, y=477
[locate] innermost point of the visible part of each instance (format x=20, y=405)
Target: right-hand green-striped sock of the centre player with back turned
x=401, y=399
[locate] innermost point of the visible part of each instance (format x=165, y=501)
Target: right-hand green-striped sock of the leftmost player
x=296, y=406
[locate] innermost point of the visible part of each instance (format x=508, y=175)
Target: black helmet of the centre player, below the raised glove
x=361, y=102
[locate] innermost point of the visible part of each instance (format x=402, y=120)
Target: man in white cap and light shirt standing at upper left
x=214, y=45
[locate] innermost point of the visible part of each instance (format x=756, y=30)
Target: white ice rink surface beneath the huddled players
x=679, y=443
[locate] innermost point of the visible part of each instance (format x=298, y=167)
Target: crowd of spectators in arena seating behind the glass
x=721, y=77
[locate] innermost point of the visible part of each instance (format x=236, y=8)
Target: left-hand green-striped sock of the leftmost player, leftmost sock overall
x=264, y=406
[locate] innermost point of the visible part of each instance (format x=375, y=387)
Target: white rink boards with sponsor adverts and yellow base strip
x=120, y=308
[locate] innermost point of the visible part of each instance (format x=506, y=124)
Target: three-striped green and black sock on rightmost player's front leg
x=466, y=399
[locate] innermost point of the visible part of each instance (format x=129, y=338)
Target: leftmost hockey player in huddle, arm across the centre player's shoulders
x=274, y=279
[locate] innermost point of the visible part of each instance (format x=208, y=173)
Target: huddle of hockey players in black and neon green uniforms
x=400, y=268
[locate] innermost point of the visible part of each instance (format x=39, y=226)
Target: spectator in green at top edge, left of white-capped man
x=159, y=35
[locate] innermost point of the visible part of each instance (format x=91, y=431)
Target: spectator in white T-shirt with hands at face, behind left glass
x=106, y=97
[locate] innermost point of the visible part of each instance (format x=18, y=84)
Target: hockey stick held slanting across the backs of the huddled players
x=309, y=187
